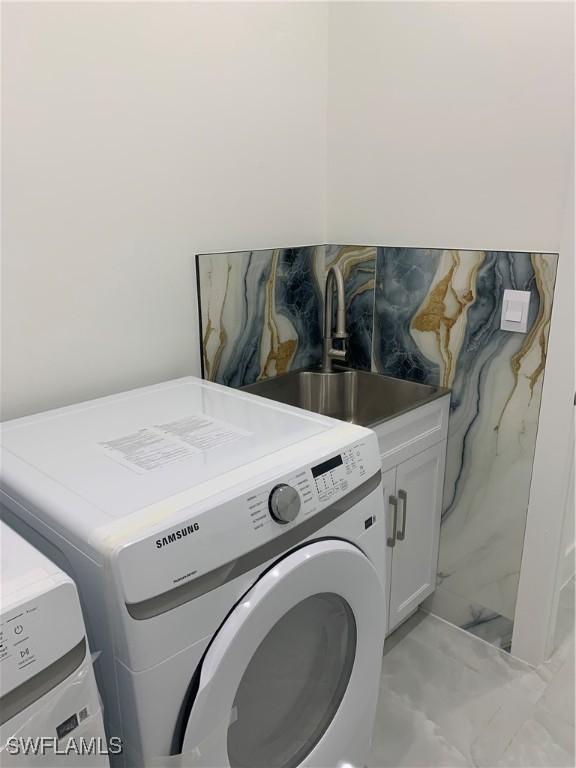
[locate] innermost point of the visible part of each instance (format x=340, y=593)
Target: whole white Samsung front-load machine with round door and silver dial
x=229, y=553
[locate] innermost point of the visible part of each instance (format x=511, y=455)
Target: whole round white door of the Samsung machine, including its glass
x=294, y=667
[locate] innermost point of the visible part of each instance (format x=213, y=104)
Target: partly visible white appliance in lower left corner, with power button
x=49, y=706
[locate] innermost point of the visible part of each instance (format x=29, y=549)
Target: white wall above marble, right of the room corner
x=449, y=123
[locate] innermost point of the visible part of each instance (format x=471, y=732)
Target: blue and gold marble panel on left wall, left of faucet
x=260, y=312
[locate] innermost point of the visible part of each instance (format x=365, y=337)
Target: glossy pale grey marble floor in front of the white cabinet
x=448, y=698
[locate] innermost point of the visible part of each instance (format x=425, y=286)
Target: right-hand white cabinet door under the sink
x=419, y=483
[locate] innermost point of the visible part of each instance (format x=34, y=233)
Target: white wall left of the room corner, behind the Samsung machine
x=136, y=135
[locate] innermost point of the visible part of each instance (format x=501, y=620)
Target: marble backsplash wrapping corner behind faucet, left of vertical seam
x=262, y=311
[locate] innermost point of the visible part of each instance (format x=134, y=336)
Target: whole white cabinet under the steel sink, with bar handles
x=413, y=450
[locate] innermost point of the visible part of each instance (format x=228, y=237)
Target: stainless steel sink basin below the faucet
x=359, y=397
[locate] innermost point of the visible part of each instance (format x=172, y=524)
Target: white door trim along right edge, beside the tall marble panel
x=541, y=573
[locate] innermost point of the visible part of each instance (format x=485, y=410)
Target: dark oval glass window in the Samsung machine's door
x=293, y=684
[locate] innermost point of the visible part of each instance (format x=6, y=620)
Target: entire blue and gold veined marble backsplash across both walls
x=427, y=315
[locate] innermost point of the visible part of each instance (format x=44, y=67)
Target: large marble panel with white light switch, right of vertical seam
x=437, y=320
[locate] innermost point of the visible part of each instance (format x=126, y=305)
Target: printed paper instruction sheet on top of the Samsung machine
x=161, y=445
